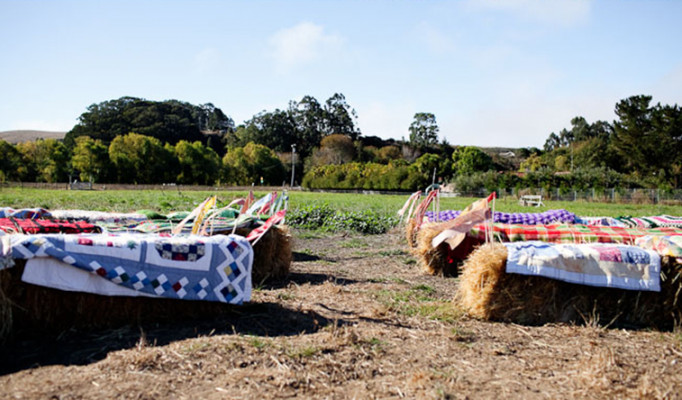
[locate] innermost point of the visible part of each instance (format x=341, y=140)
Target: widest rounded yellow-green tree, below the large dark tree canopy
x=142, y=159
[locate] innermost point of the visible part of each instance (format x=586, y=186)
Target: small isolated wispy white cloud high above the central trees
x=302, y=44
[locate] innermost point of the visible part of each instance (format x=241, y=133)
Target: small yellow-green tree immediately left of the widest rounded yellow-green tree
x=90, y=158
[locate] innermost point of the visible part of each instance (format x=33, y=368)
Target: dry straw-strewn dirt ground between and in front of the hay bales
x=355, y=319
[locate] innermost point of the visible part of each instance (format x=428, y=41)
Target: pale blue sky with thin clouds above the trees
x=495, y=73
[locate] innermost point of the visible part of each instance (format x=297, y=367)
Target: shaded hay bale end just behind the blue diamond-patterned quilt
x=272, y=254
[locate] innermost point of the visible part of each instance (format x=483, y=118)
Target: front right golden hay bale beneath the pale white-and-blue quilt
x=487, y=292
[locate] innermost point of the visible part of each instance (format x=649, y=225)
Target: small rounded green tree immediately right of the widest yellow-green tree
x=197, y=163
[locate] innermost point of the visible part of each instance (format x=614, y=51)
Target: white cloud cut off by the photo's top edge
x=561, y=12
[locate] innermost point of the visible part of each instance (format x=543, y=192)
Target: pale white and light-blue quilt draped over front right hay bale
x=595, y=264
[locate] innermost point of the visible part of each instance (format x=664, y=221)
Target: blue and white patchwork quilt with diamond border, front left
x=216, y=268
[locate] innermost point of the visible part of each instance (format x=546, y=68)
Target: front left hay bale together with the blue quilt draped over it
x=105, y=280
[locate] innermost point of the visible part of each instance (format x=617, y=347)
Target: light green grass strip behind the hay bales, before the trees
x=173, y=200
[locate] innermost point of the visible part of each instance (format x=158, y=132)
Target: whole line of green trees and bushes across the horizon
x=132, y=140
